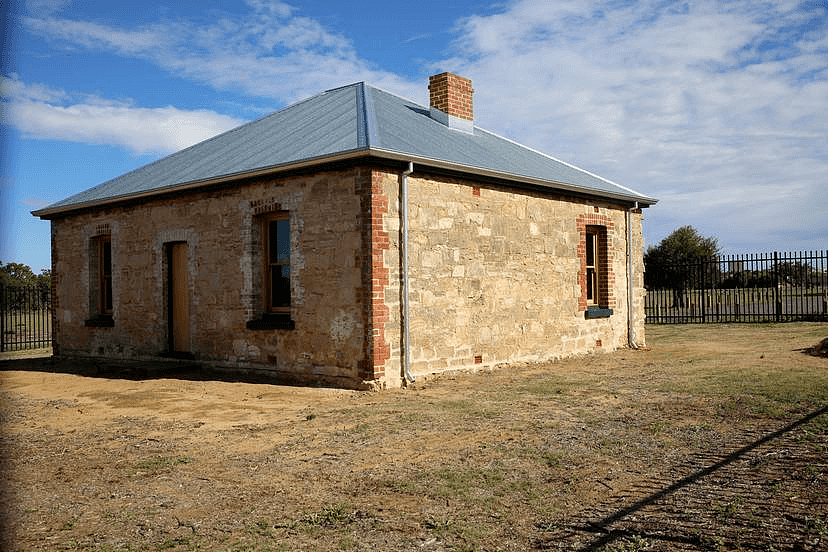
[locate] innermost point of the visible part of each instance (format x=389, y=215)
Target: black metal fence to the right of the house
x=771, y=287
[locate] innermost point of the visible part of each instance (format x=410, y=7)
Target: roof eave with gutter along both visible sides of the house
x=53, y=212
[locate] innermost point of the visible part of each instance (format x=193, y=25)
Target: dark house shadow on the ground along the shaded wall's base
x=134, y=370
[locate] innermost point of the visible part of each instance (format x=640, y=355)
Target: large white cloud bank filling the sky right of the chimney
x=718, y=109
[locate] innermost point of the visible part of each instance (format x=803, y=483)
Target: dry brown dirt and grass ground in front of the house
x=714, y=438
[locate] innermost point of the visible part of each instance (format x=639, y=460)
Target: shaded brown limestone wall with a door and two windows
x=330, y=281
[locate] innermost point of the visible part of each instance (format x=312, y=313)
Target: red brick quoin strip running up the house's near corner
x=379, y=276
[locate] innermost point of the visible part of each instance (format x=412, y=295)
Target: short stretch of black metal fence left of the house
x=25, y=317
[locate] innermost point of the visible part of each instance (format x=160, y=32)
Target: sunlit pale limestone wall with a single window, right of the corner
x=497, y=275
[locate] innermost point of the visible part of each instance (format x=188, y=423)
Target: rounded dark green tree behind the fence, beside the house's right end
x=674, y=262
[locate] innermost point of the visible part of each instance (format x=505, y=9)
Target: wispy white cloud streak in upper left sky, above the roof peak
x=269, y=52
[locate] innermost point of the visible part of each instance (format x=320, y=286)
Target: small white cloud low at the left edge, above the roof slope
x=41, y=112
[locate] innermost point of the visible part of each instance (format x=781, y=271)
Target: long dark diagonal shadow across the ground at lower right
x=610, y=535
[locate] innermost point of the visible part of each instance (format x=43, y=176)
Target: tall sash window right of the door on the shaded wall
x=277, y=262
